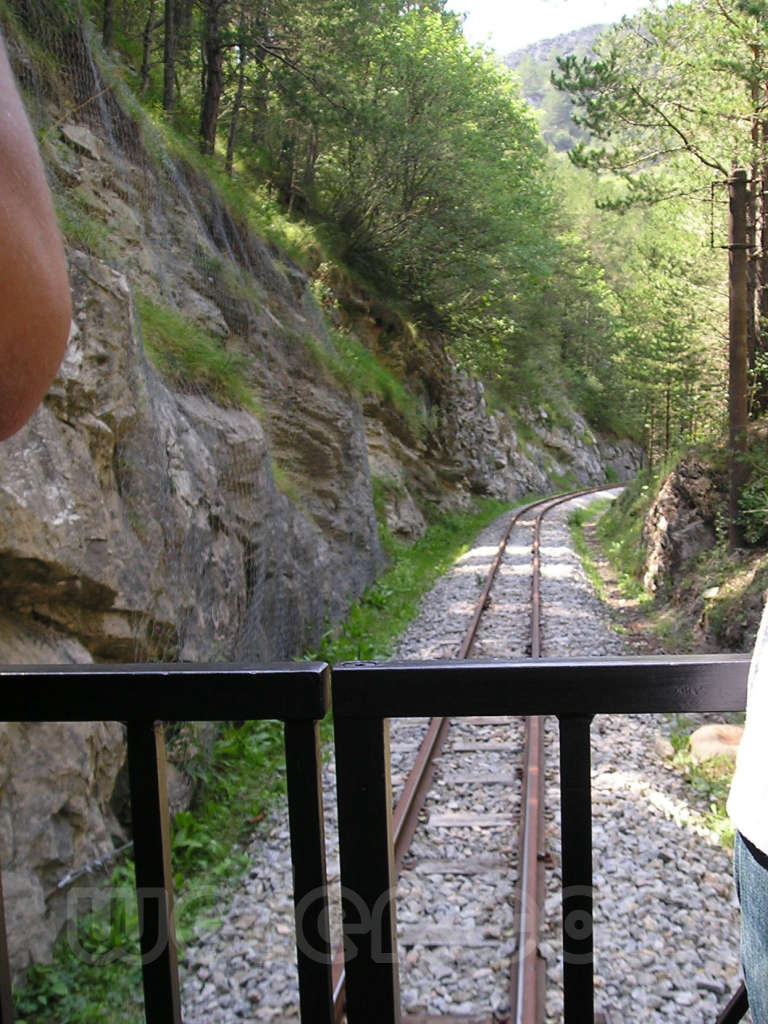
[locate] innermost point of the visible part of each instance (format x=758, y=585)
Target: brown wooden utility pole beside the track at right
x=738, y=311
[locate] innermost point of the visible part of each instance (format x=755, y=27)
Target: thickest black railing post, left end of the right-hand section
x=368, y=871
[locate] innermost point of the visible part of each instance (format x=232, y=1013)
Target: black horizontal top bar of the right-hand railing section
x=588, y=687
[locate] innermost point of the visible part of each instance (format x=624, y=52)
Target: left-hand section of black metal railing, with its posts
x=146, y=696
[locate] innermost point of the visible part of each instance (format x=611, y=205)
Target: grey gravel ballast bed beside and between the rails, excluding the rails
x=663, y=881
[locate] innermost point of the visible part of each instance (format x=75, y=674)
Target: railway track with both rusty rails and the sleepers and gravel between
x=477, y=790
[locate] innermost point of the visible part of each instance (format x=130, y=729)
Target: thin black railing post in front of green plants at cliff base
x=152, y=846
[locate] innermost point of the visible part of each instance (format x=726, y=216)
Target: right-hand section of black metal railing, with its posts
x=365, y=697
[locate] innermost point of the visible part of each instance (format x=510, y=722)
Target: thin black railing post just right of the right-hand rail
x=576, y=819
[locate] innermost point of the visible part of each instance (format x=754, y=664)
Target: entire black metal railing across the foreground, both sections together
x=365, y=698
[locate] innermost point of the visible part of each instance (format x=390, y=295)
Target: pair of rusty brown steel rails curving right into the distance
x=528, y=985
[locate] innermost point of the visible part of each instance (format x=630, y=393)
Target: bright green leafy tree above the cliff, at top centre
x=434, y=170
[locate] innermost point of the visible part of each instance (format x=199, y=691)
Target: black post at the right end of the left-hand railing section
x=310, y=883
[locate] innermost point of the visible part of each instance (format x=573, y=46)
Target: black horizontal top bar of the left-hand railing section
x=167, y=693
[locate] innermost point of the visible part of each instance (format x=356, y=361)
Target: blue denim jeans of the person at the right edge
x=751, y=871
